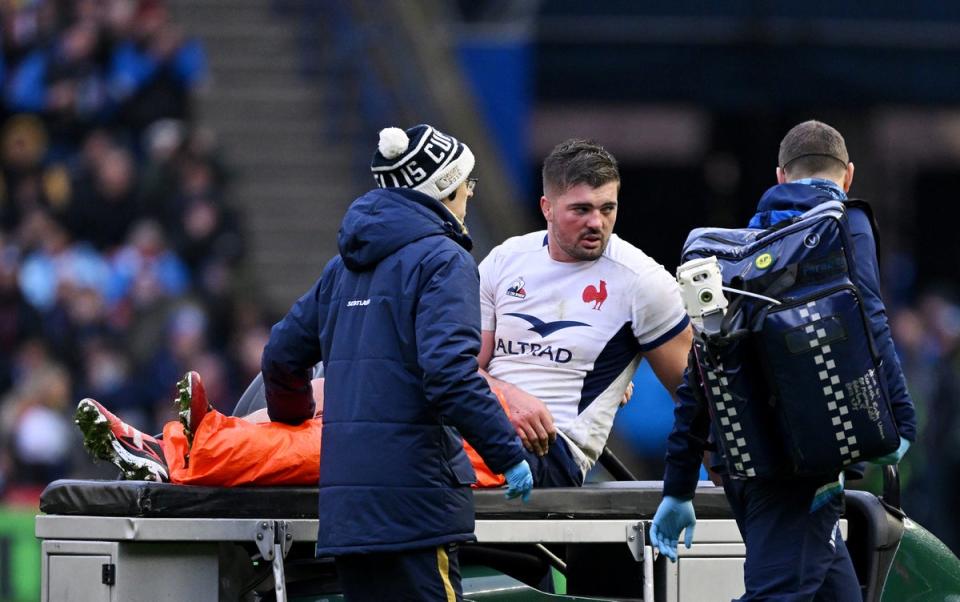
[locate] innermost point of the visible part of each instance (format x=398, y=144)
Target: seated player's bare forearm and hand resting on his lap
x=529, y=416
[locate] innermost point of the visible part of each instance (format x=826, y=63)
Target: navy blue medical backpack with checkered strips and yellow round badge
x=794, y=387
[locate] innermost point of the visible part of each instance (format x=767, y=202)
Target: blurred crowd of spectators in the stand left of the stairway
x=117, y=238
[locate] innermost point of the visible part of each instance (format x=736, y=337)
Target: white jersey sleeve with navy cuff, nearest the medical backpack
x=658, y=313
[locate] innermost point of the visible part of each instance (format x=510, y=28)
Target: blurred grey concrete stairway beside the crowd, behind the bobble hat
x=290, y=181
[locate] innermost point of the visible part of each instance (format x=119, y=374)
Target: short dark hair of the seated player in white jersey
x=578, y=161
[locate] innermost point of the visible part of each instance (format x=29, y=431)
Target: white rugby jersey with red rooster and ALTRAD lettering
x=571, y=334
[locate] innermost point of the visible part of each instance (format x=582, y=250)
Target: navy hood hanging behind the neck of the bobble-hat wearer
x=383, y=220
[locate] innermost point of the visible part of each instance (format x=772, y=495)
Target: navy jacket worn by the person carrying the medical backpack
x=686, y=442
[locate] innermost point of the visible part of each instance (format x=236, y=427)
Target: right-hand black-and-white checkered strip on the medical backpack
x=832, y=389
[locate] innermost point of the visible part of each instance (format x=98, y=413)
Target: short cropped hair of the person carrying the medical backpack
x=812, y=147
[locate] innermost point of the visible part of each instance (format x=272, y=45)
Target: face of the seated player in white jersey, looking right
x=580, y=221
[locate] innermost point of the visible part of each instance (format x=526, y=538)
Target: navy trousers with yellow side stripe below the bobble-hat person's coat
x=426, y=574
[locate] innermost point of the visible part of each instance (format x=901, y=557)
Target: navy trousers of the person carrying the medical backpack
x=793, y=554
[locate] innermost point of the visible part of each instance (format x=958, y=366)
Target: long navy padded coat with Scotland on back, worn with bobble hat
x=395, y=318
